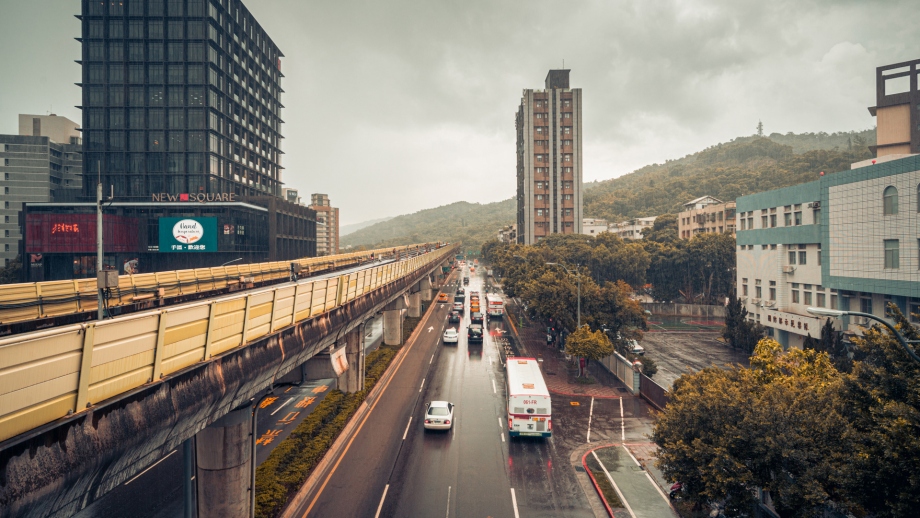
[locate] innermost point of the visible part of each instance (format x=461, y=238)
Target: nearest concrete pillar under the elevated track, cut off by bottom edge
x=224, y=455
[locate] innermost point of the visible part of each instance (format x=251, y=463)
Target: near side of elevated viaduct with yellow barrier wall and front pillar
x=84, y=407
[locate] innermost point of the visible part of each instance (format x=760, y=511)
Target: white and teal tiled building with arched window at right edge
x=849, y=241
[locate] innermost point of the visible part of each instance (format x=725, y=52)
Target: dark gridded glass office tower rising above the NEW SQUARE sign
x=179, y=96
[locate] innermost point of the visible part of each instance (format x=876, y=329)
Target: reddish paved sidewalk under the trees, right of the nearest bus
x=559, y=379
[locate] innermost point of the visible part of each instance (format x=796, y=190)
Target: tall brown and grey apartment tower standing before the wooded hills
x=549, y=160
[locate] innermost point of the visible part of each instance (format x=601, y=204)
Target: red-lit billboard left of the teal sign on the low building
x=76, y=233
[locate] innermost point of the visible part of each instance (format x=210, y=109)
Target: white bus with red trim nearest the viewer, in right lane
x=529, y=408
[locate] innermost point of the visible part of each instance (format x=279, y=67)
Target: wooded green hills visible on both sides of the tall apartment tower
x=744, y=166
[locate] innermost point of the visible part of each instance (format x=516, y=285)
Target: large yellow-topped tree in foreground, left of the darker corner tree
x=774, y=426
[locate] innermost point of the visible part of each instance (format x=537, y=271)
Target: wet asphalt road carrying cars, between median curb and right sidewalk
x=396, y=468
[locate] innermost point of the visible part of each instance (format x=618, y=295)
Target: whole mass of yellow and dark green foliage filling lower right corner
x=815, y=437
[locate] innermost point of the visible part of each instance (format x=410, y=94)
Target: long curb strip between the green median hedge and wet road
x=335, y=450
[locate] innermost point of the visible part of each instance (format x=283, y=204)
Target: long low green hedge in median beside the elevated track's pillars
x=292, y=461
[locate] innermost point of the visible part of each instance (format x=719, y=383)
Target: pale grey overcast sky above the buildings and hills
x=392, y=106
